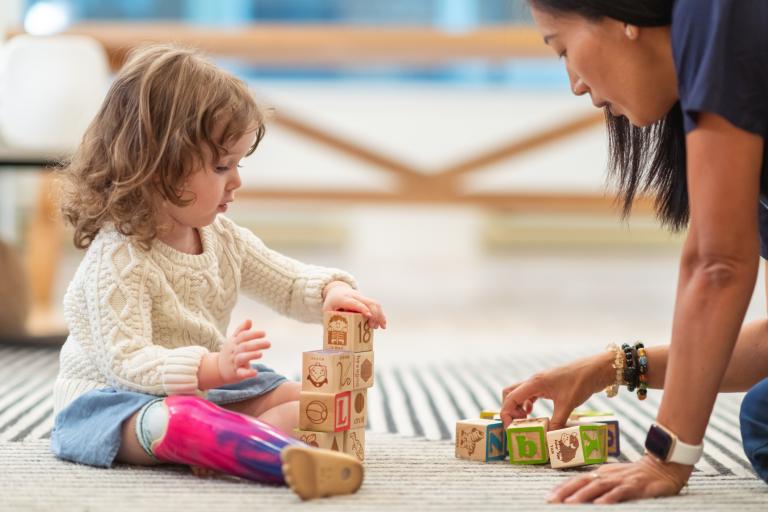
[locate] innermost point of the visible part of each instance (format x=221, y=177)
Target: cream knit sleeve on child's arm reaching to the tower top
x=288, y=286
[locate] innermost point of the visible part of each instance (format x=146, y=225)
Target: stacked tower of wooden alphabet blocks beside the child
x=333, y=407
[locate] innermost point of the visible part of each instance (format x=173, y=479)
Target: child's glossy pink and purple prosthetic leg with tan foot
x=190, y=430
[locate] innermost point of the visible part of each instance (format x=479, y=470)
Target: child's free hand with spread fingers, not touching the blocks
x=238, y=351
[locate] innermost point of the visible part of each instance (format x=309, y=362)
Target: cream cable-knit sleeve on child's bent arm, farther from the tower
x=110, y=314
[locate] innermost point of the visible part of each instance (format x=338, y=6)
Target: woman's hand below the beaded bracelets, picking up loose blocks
x=567, y=386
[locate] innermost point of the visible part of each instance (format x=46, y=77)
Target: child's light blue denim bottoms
x=89, y=430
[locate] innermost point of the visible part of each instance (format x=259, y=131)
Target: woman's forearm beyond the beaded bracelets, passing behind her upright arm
x=748, y=364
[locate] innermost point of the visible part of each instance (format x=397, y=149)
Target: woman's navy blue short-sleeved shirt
x=720, y=49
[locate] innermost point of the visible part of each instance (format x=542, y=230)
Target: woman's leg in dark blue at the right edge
x=754, y=427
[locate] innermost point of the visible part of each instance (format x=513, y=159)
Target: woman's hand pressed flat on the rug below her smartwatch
x=612, y=483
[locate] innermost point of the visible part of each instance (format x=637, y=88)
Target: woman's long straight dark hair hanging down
x=650, y=159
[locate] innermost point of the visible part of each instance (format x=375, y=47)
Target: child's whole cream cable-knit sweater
x=142, y=320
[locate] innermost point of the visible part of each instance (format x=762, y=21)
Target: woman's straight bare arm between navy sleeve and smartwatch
x=717, y=271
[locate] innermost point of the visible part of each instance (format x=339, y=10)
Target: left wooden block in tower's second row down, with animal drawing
x=326, y=371
